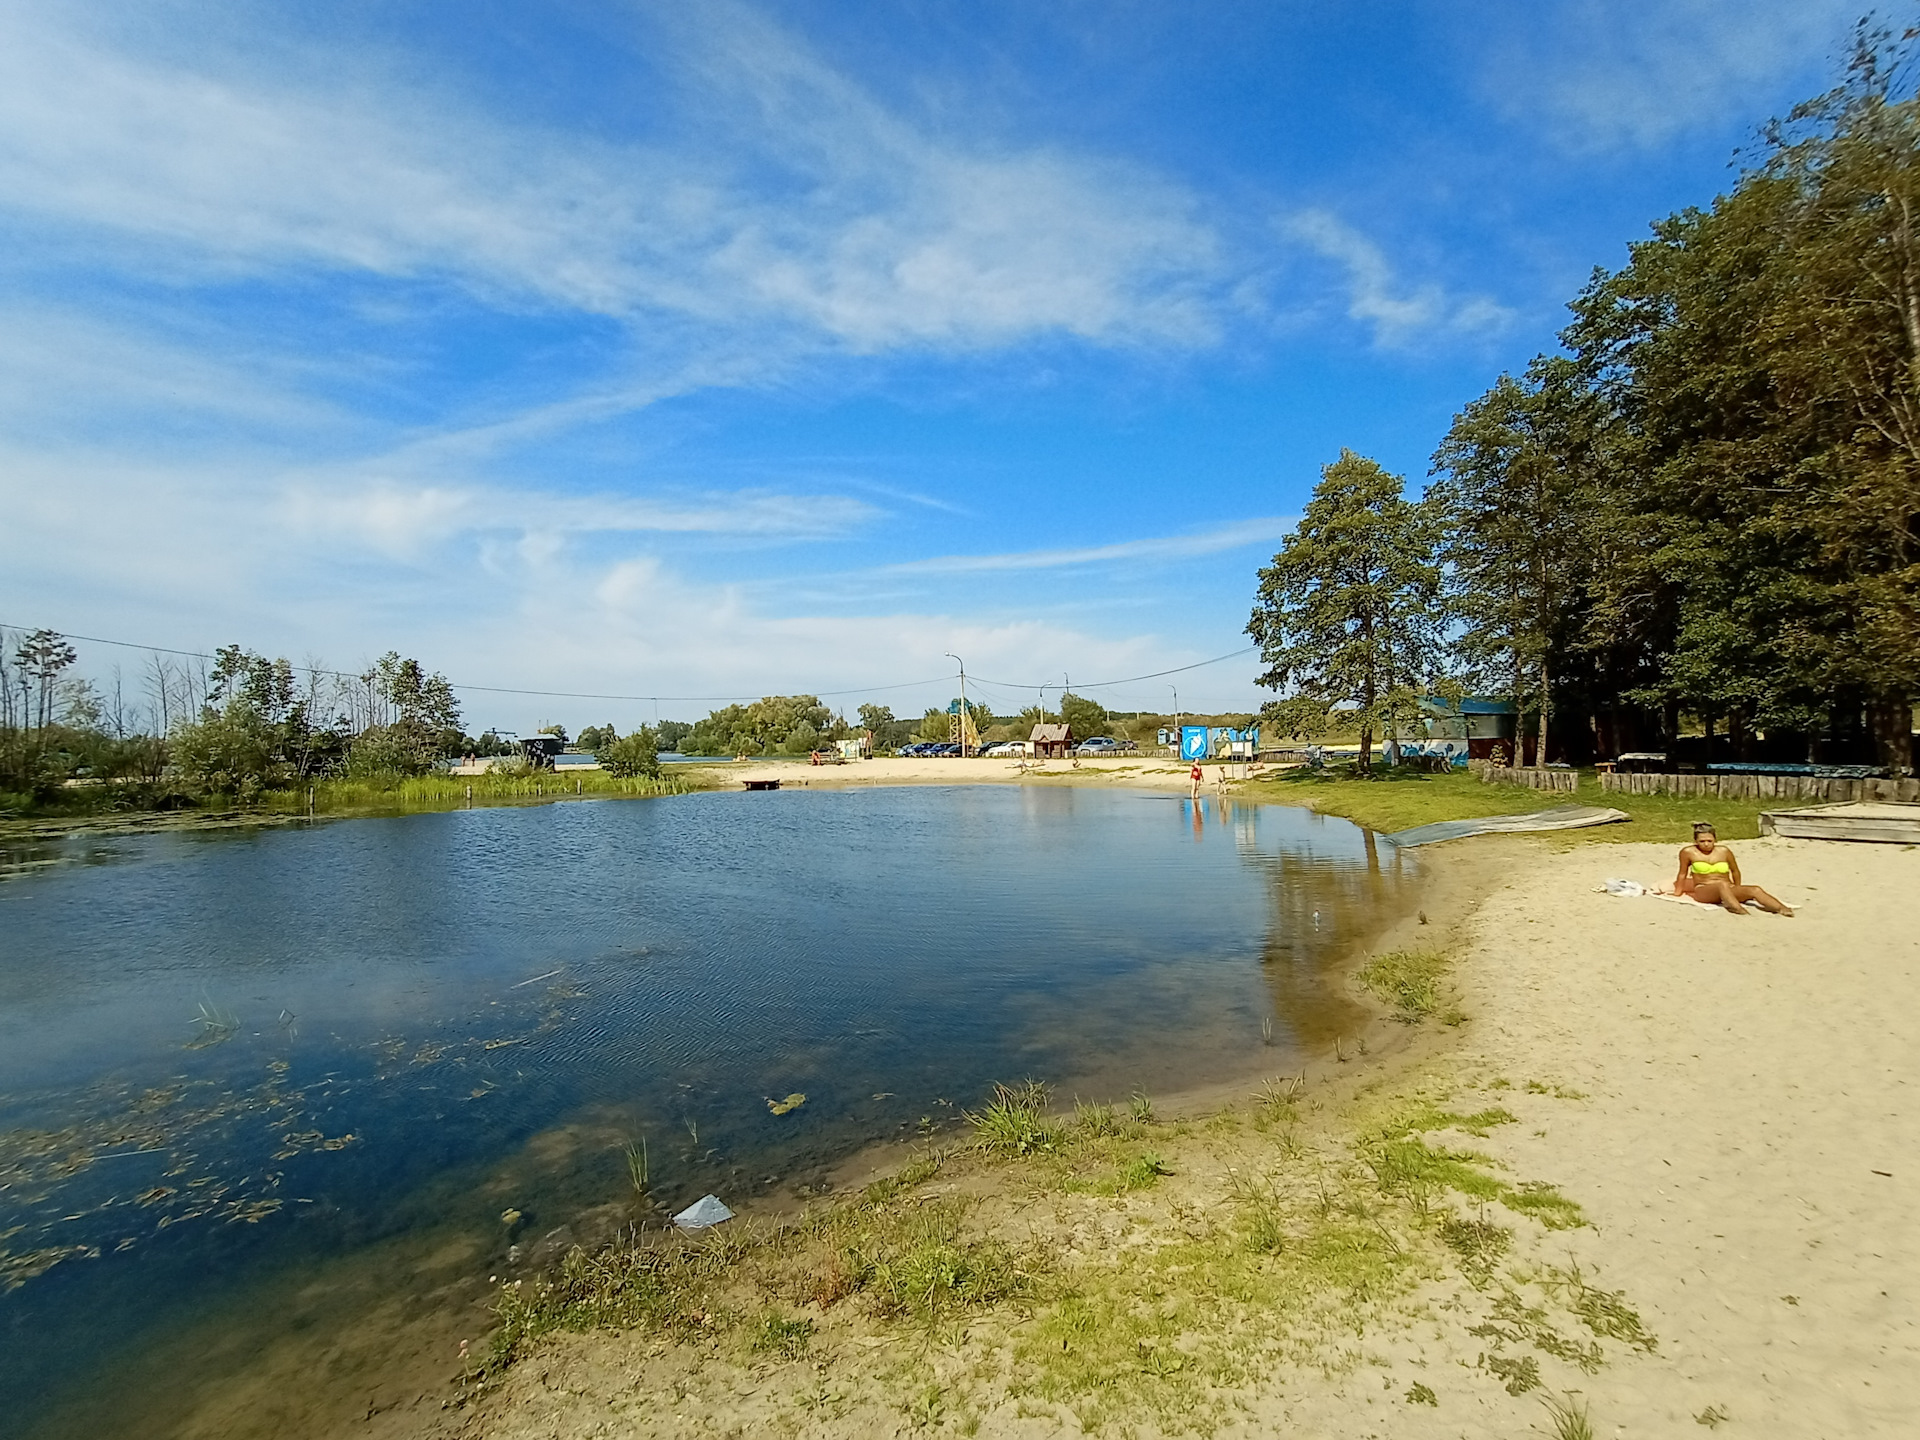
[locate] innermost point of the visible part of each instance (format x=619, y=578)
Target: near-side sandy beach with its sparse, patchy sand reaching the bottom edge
x=1727, y=1101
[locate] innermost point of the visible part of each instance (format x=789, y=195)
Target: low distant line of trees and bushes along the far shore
x=187, y=729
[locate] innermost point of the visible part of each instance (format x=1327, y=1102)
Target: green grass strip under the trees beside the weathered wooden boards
x=1401, y=800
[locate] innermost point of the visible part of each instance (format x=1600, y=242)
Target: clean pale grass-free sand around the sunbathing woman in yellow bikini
x=1750, y=1145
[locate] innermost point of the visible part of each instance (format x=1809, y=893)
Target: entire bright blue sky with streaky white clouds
x=709, y=350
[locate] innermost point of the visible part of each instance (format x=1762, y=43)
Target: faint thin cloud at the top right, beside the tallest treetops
x=1600, y=76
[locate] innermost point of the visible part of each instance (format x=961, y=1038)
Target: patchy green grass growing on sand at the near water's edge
x=1105, y=1266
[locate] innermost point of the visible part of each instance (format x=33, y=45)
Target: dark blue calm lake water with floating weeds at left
x=241, y=1063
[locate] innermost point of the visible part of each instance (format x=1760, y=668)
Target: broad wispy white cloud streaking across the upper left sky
x=805, y=204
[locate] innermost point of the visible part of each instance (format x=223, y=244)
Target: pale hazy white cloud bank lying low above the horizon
x=510, y=608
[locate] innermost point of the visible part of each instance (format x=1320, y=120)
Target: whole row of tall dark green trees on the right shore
x=1700, y=514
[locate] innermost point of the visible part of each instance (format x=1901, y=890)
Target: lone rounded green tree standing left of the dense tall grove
x=1351, y=610
